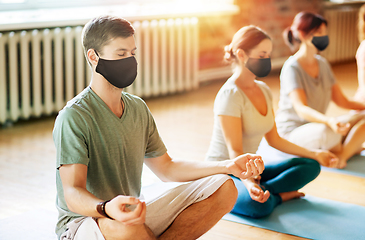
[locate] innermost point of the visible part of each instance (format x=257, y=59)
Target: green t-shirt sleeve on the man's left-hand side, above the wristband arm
x=70, y=138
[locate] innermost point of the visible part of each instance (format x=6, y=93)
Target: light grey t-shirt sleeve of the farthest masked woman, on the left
x=290, y=79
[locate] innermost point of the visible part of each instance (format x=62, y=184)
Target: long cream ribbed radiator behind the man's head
x=41, y=69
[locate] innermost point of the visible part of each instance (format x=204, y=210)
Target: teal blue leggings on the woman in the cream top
x=283, y=176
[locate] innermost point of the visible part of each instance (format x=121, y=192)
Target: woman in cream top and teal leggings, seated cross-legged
x=244, y=115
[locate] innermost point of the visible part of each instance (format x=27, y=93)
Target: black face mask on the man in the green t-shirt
x=120, y=73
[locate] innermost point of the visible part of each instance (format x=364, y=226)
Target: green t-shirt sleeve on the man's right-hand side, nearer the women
x=155, y=146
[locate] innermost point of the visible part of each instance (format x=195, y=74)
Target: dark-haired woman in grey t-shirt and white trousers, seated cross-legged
x=307, y=86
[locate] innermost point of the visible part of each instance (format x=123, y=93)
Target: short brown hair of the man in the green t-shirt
x=99, y=31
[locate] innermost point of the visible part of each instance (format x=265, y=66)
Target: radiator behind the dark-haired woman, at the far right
x=342, y=32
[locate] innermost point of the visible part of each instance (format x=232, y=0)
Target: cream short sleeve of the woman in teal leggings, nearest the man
x=228, y=103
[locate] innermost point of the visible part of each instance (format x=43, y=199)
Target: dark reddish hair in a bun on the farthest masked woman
x=305, y=22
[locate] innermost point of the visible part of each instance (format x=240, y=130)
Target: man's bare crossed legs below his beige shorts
x=191, y=223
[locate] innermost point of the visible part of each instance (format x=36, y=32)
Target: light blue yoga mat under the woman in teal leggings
x=312, y=217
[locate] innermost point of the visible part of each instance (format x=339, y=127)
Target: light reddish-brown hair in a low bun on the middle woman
x=246, y=39
